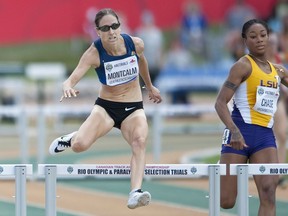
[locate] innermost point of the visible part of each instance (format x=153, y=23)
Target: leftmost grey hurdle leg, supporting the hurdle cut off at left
x=20, y=187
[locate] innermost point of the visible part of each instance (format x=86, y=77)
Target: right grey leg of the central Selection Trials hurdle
x=214, y=190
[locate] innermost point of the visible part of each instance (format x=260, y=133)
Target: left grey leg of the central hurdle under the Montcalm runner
x=50, y=190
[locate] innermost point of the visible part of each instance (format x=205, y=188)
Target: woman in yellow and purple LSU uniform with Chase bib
x=253, y=84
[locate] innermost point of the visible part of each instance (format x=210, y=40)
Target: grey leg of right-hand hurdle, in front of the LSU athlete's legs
x=242, y=187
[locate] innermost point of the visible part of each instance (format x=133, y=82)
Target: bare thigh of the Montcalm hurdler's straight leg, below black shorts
x=135, y=126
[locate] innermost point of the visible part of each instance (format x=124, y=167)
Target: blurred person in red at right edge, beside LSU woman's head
x=284, y=39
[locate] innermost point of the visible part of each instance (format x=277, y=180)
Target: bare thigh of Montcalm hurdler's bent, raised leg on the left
x=97, y=124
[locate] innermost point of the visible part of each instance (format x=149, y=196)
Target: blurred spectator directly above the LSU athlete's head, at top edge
x=238, y=14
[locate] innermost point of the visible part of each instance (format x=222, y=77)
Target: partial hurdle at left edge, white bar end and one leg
x=19, y=172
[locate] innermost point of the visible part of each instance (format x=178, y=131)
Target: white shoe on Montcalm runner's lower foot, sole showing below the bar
x=138, y=198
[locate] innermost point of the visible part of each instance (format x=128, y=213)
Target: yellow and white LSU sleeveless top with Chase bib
x=255, y=100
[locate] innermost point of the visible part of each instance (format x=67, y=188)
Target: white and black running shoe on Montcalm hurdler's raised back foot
x=61, y=143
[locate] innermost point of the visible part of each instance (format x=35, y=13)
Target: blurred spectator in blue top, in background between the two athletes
x=193, y=26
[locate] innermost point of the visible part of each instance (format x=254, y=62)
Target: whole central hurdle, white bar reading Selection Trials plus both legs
x=52, y=171
